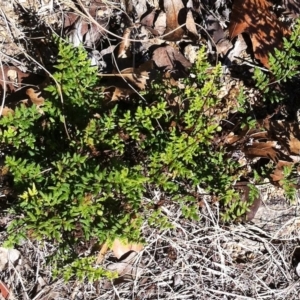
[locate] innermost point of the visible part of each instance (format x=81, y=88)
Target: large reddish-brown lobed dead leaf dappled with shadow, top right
x=255, y=18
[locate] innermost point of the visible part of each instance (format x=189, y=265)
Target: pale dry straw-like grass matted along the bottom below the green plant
x=194, y=260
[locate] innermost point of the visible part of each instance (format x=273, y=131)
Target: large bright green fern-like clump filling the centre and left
x=82, y=167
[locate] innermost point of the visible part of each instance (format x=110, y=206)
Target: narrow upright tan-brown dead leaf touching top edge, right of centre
x=176, y=16
